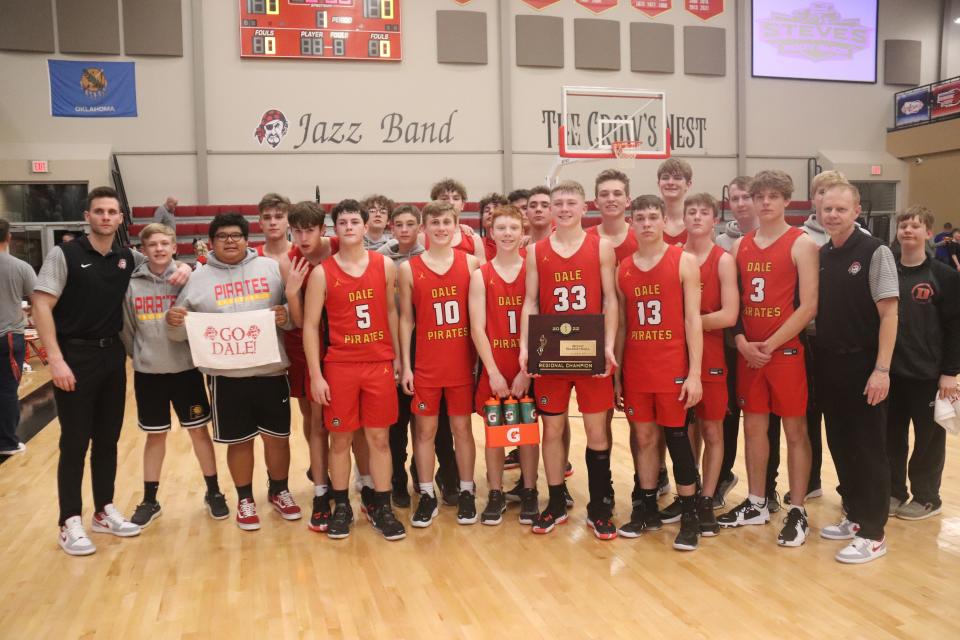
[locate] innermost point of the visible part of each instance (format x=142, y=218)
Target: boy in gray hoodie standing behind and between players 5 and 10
x=405, y=227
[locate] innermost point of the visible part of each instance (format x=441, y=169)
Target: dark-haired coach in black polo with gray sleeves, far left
x=77, y=306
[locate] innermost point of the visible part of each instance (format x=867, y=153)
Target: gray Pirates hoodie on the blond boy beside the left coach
x=144, y=331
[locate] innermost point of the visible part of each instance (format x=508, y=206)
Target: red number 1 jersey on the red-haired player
x=504, y=302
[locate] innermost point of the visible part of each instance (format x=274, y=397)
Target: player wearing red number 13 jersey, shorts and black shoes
x=660, y=342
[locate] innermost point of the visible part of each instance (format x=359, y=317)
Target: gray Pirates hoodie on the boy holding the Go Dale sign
x=254, y=284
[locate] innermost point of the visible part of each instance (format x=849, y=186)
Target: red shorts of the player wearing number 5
x=362, y=394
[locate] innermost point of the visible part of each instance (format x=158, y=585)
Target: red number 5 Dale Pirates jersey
x=356, y=309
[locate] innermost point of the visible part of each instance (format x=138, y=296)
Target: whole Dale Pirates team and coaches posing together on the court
x=403, y=323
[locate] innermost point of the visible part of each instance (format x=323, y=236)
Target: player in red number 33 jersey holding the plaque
x=576, y=271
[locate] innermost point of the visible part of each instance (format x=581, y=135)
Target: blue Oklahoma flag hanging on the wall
x=82, y=89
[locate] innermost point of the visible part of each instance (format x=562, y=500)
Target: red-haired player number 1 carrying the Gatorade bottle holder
x=496, y=300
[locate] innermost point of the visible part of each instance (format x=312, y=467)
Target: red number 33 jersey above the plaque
x=570, y=285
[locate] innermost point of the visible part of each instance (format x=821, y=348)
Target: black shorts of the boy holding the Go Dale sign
x=244, y=407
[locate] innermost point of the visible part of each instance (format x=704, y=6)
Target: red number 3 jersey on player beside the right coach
x=768, y=286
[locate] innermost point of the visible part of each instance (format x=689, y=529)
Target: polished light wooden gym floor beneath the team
x=188, y=576
